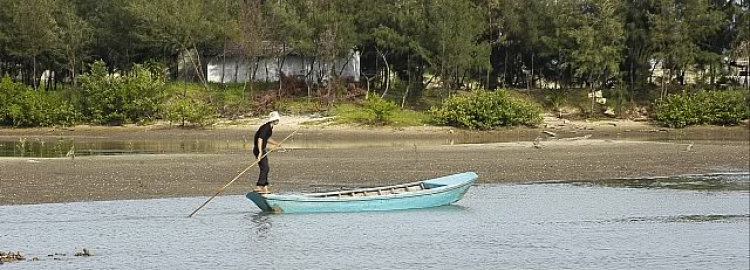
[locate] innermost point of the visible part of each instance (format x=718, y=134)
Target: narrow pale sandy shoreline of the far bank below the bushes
x=223, y=131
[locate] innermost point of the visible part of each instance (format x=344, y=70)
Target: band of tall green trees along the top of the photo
x=453, y=43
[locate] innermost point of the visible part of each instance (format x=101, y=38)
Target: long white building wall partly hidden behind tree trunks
x=239, y=69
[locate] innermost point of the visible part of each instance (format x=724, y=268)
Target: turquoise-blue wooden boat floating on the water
x=429, y=193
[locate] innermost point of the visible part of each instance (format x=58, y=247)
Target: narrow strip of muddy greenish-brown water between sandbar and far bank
x=46, y=146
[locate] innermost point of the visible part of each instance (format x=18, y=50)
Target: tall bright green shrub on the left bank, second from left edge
x=111, y=99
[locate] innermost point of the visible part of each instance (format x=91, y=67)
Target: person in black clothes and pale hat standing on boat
x=260, y=142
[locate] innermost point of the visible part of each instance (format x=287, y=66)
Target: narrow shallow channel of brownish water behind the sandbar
x=46, y=147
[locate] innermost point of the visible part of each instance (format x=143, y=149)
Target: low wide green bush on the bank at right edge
x=704, y=107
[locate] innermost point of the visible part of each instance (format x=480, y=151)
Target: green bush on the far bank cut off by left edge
x=23, y=106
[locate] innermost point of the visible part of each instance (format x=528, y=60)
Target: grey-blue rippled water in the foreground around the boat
x=496, y=226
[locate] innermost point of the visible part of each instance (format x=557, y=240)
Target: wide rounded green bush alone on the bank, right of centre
x=487, y=109
